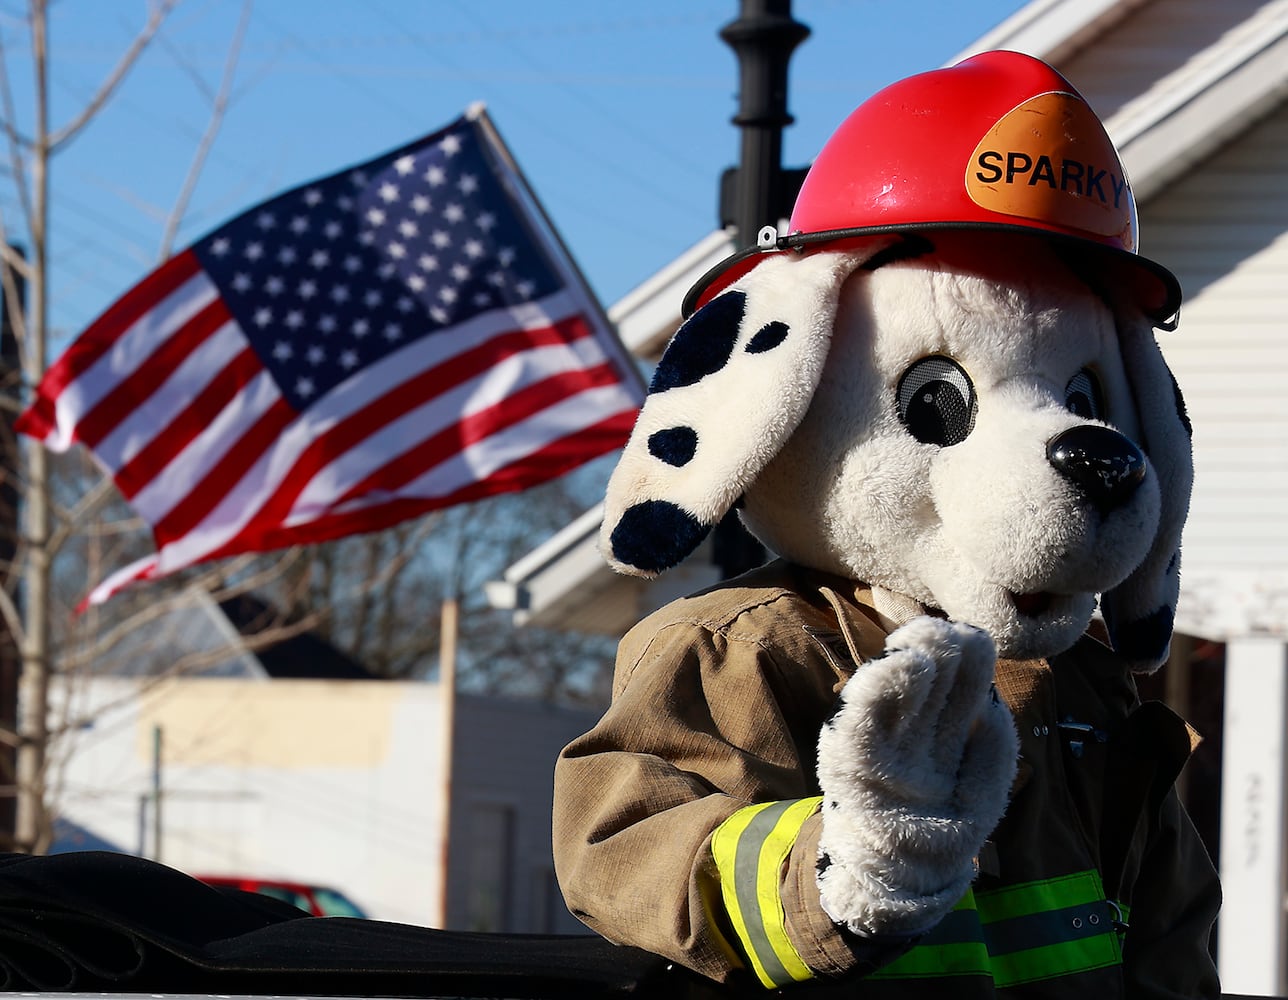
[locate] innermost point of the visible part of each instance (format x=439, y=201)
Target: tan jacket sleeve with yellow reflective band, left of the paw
x=687, y=822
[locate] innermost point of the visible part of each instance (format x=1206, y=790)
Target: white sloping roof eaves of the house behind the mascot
x=1180, y=118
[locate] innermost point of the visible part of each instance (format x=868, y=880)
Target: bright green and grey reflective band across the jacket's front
x=1019, y=934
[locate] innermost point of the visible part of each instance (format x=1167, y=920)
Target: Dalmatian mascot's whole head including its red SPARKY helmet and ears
x=961, y=404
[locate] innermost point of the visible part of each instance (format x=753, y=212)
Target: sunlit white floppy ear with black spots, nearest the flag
x=731, y=389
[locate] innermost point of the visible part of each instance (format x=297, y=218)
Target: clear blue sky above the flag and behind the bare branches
x=619, y=114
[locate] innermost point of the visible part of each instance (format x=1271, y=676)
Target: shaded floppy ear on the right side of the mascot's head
x=1141, y=611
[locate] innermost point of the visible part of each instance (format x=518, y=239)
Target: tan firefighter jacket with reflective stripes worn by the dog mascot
x=687, y=820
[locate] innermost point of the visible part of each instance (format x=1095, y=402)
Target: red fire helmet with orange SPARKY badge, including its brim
x=998, y=142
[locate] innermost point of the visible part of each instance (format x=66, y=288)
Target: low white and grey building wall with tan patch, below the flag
x=323, y=782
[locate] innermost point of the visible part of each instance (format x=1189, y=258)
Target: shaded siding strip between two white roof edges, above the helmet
x=1156, y=48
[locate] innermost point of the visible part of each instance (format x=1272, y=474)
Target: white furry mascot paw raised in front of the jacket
x=916, y=766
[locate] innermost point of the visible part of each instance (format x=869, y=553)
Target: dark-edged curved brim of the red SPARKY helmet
x=1150, y=285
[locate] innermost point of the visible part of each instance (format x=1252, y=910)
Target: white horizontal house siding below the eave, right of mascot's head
x=1224, y=231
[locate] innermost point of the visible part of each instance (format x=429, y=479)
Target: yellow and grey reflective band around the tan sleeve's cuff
x=749, y=850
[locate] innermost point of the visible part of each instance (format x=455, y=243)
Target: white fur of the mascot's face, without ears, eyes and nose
x=964, y=528
